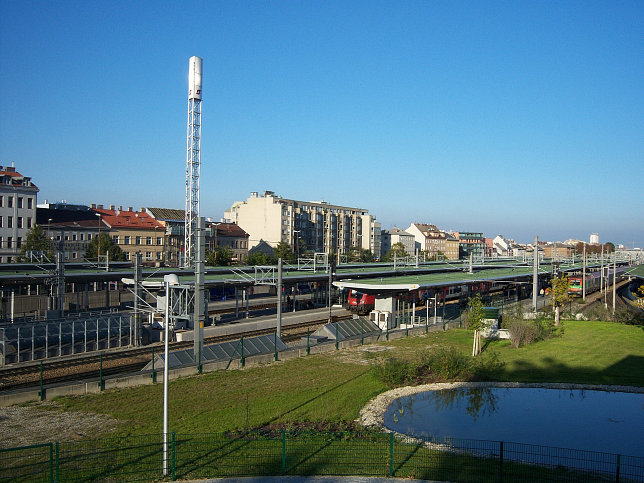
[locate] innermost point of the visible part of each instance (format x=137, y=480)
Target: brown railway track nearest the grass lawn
x=124, y=361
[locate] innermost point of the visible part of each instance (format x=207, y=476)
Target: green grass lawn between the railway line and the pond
x=333, y=387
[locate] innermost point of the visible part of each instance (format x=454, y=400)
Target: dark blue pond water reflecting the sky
x=610, y=422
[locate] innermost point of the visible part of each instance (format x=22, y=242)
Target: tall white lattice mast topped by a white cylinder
x=193, y=159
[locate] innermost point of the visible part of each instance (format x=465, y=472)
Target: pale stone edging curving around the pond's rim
x=372, y=415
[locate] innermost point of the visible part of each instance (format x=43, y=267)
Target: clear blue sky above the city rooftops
x=518, y=118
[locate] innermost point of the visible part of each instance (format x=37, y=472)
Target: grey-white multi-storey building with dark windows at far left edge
x=18, y=199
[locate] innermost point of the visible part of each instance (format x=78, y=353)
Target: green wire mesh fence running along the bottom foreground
x=311, y=453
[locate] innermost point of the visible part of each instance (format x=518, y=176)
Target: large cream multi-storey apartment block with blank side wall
x=316, y=226
